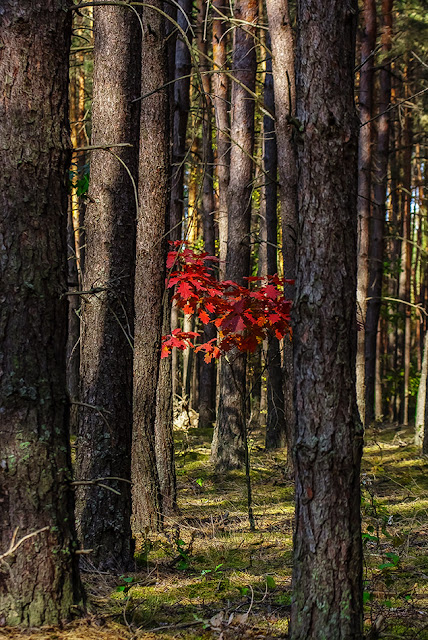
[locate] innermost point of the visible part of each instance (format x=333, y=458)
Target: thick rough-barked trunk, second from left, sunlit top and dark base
x=105, y=420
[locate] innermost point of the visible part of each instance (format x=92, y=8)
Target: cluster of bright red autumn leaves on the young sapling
x=244, y=317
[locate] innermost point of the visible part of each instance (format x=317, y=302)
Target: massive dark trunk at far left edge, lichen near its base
x=39, y=583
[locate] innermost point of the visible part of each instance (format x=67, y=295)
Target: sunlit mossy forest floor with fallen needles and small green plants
x=210, y=578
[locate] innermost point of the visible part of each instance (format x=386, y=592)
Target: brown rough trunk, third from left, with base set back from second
x=152, y=223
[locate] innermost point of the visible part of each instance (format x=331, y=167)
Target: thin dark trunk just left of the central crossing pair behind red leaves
x=207, y=372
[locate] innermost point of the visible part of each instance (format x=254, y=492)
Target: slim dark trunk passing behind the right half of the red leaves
x=275, y=425
